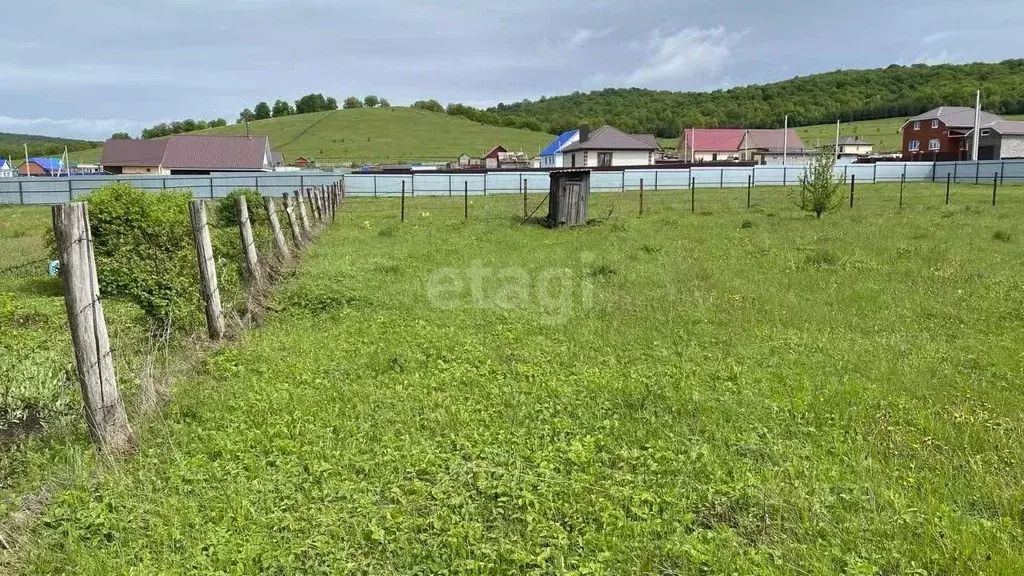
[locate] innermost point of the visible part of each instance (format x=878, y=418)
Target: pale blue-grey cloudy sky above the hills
x=90, y=69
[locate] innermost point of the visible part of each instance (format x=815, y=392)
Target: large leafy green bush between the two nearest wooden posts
x=144, y=249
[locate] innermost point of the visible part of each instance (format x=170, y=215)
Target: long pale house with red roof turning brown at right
x=736, y=145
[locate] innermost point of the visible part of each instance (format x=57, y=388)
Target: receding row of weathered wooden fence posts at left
x=105, y=412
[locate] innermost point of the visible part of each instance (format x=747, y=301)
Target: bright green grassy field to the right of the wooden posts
x=749, y=392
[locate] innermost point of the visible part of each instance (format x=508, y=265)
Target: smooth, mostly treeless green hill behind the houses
x=379, y=136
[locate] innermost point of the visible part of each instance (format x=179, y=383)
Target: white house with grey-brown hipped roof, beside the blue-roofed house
x=611, y=147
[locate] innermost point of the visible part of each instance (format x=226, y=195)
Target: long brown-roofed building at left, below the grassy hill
x=189, y=154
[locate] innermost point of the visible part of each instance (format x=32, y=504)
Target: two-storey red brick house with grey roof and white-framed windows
x=942, y=135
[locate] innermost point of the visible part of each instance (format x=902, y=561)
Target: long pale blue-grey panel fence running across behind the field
x=55, y=191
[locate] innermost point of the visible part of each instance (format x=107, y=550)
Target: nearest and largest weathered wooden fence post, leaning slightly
x=105, y=412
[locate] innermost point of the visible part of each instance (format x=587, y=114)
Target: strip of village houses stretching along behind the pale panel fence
x=946, y=134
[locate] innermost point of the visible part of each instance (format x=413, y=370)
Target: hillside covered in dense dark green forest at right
x=822, y=99
